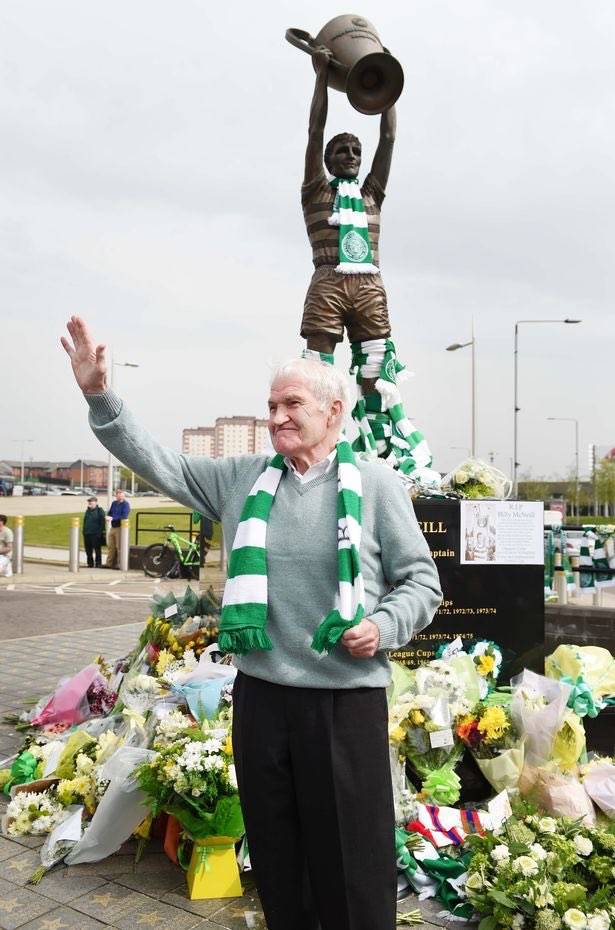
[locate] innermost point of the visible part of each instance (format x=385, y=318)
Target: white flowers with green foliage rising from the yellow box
x=194, y=779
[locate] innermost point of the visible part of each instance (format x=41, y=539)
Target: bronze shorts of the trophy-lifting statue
x=356, y=301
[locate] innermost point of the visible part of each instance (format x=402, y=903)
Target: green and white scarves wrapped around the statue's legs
x=384, y=428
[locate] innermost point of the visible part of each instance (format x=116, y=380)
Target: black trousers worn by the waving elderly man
x=315, y=785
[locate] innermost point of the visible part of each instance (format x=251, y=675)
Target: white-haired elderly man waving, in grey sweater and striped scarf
x=328, y=570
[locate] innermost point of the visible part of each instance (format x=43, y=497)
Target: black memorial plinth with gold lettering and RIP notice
x=483, y=598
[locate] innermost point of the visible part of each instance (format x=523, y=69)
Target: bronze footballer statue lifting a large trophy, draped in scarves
x=342, y=219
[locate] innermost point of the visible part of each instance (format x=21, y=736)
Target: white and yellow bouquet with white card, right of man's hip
x=420, y=727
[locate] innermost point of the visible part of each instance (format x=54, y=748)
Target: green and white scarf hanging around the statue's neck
x=355, y=251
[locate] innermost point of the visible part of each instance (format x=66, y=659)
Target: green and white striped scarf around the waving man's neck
x=243, y=623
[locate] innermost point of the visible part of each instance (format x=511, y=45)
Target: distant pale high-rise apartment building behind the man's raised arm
x=229, y=436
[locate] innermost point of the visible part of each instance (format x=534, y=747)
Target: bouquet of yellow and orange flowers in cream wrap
x=491, y=736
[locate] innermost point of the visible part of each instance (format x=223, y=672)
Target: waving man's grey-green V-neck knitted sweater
x=402, y=590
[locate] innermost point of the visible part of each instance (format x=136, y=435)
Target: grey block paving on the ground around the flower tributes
x=116, y=892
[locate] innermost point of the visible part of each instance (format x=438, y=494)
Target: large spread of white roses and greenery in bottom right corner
x=542, y=873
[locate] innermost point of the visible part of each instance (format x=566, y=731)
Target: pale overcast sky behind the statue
x=150, y=161
